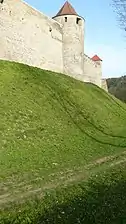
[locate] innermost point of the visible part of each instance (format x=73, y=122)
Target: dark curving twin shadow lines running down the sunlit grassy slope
x=67, y=104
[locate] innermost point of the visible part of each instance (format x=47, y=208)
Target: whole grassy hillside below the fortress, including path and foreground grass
x=60, y=140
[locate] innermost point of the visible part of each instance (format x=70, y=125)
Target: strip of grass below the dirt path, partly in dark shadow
x=100, y=200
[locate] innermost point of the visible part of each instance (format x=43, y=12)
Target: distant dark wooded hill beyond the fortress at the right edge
x=117, y=87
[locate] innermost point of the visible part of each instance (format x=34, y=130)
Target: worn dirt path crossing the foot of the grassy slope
x=24, y=190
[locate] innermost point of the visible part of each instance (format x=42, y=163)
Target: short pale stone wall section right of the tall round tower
x=92, y=71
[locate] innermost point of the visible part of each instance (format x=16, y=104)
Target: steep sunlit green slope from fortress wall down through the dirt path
x=54, y=131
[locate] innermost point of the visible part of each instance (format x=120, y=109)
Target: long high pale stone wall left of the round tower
x=29, y=37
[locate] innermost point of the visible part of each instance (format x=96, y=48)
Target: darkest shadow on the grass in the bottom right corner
x=100, y=204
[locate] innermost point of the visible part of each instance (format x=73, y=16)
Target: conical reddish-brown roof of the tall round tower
x=67, y=9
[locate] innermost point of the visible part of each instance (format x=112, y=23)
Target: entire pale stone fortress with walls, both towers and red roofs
x=56, y=44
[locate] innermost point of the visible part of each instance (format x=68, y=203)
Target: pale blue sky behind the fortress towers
x=103, y=35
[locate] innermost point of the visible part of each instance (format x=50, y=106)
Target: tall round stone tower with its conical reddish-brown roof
x=73, y=40
